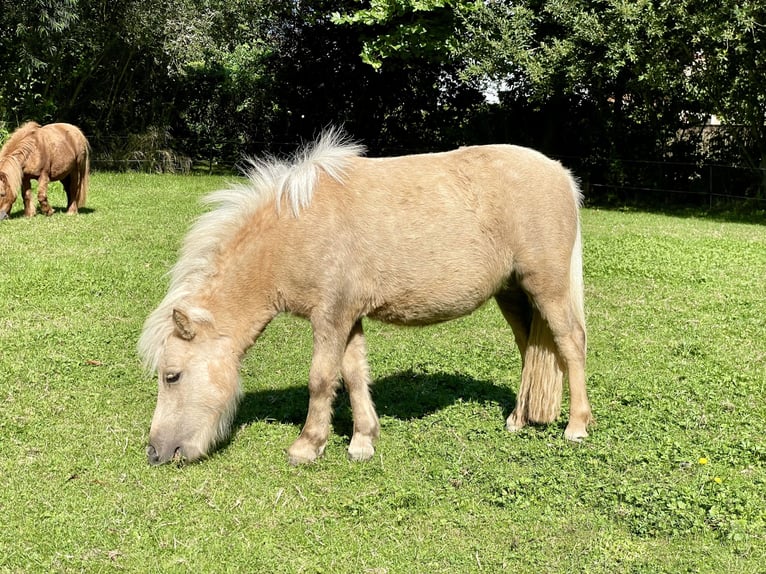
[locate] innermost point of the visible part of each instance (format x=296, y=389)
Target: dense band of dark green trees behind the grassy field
x=603, y=80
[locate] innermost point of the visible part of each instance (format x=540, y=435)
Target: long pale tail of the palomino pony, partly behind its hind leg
x=542, y=376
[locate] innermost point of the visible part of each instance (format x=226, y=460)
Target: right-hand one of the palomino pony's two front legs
x=356, y=375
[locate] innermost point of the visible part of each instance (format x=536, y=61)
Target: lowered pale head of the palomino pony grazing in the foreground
x=199, y=386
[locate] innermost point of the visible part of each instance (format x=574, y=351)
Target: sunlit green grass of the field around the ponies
x=672, y=478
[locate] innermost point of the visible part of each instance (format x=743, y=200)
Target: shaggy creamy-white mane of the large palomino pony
x=269, y=180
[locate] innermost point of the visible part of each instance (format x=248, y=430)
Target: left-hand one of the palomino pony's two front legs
x=329, y=346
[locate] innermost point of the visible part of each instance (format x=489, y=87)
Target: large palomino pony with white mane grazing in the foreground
x=334, y=237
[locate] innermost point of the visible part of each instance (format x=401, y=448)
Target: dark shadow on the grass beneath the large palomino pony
x=406, y=395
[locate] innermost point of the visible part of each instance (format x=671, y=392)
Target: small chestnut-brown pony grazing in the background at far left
x=56, y=152
